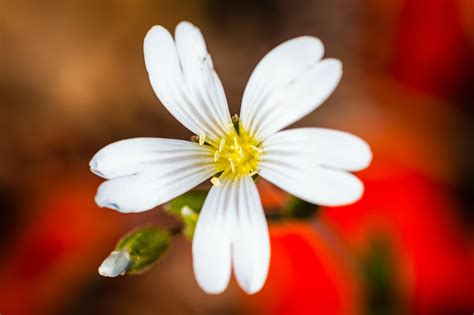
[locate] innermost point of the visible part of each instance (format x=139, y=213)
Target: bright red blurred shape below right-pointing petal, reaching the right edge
x=417, y=214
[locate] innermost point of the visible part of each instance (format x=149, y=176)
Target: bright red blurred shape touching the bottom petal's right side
x=307, y=275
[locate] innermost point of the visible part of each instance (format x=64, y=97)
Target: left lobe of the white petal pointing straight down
x=211, y=242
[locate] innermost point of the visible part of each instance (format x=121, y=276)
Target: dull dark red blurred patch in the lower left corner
x=57, y=249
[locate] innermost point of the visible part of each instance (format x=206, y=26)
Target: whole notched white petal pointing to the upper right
x=289, y=83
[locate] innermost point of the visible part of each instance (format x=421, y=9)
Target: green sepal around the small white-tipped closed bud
x=145, y=246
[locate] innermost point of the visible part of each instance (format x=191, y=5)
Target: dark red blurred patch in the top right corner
x=432, y=52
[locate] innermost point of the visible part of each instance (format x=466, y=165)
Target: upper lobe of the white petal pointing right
x=325, y=147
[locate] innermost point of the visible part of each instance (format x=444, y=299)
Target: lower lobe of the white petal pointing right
x=302, y=178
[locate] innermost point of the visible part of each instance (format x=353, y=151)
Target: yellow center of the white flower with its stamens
x=236, y=154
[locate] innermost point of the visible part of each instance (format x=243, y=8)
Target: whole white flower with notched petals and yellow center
x=311, y=163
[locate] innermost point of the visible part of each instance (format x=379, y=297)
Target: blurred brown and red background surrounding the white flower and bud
x=72, y=79
